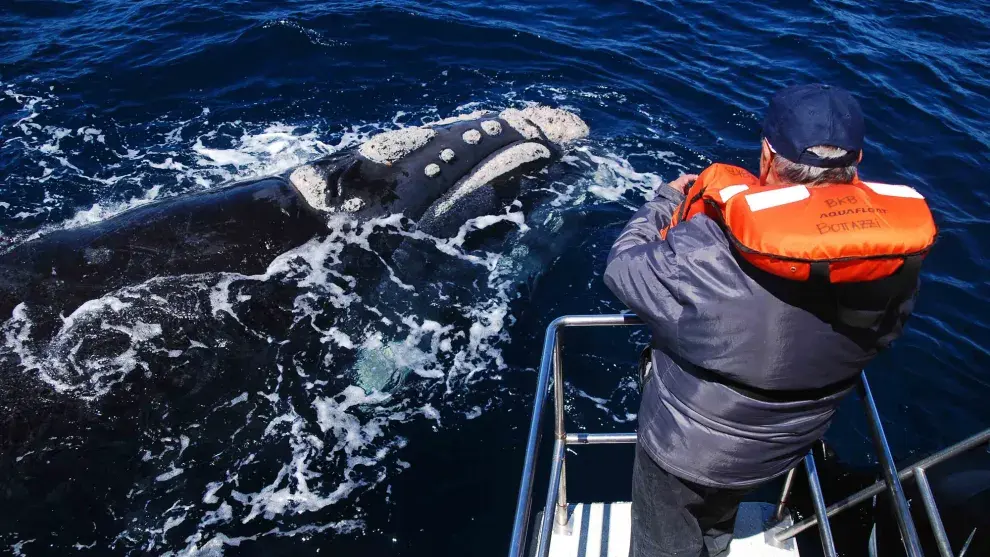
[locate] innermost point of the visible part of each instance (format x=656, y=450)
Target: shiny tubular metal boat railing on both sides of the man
x=555, y=509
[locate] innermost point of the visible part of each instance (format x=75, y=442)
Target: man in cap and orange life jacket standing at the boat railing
x=765, y=296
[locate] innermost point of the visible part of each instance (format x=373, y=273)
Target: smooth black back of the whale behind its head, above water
x=240, y=226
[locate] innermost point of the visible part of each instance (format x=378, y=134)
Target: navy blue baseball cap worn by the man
x=804, y=116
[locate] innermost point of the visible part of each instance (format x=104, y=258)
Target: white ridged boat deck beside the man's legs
x=602, y=530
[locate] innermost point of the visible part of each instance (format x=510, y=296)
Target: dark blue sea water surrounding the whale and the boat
x=194, y=418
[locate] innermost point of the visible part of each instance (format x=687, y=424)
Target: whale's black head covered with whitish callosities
x=430, y=169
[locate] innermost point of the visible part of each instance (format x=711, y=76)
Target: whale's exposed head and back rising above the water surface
x=437, y=176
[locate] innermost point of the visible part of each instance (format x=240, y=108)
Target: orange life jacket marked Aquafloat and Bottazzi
x=854, y=232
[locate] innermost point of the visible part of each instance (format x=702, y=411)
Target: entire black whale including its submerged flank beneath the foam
x=84, y=385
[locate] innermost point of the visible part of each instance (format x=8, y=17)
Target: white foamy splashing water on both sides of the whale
x=320, y=368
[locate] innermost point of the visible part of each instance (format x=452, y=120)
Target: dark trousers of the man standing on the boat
x=674, y=517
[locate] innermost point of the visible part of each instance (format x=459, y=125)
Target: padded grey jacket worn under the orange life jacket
x=749, y=367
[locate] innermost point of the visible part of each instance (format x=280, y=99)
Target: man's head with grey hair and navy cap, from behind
x=812, y=134
